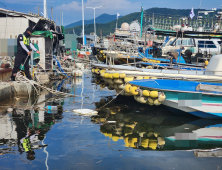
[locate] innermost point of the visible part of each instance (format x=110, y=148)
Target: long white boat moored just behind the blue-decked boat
x=212, y=73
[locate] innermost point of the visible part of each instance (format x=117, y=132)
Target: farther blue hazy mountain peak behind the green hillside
x=102, y=19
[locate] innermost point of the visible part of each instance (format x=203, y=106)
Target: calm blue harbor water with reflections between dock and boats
x=124, y=135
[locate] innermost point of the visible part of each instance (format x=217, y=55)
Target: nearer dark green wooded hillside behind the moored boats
x=108, y=28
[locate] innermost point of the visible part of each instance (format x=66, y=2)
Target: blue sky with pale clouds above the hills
x=72, y=10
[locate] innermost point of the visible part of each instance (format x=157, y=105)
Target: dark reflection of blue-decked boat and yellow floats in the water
x=151, y=131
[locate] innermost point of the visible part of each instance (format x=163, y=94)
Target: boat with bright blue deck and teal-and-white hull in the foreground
x=201, y=99
